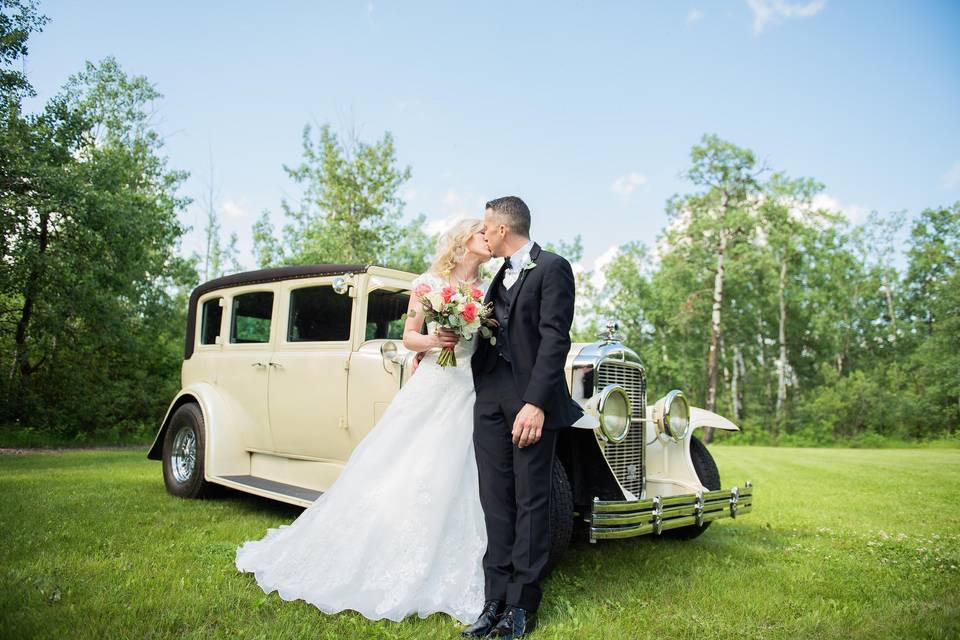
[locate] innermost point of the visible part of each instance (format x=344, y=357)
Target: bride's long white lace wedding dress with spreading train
x=401, y=531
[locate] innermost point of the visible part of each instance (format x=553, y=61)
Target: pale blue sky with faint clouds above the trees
x=587, y=110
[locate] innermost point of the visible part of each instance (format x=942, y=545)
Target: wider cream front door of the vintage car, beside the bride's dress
x=308, y=372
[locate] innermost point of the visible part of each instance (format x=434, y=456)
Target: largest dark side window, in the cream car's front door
x=319, y=314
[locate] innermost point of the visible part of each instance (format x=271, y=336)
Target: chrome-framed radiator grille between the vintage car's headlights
x=626, y=458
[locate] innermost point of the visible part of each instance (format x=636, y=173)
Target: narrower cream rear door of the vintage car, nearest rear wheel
x=243, y=369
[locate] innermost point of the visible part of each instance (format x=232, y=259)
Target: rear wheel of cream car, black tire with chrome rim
x=183, y=447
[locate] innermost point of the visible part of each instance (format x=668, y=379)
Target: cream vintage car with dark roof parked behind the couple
x=285, y=370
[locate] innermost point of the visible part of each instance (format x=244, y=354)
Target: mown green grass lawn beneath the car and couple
x=840, y=544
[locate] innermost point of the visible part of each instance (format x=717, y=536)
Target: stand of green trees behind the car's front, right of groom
x=819, y=338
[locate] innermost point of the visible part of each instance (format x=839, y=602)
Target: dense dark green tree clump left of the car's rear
x=90, y=269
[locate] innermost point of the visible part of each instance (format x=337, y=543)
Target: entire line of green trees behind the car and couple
x=758, y=301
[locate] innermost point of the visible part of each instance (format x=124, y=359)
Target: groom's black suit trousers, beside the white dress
x=514, y=493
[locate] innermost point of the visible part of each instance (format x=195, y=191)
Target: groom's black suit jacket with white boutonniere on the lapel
x=540, y=318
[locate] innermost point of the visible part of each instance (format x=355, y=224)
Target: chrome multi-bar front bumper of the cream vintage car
x=626, y=519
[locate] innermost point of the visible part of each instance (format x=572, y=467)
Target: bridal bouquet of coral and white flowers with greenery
x=457, y=308
